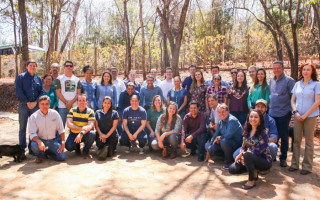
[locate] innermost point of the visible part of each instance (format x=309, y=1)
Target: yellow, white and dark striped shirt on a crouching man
x=80, y=119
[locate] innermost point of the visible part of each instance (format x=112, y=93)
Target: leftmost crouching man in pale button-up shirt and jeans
x=42, y=128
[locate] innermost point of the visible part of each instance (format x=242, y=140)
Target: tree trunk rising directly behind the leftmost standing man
x=24, y=27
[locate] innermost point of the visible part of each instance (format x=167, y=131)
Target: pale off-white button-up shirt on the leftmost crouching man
x=45, y=126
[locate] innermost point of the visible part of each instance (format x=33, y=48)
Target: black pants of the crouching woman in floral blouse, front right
x=253, y=162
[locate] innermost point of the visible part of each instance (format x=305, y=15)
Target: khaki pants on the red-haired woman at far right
x=307, y=128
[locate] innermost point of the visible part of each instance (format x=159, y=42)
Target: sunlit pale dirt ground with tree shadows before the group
x=148, y=176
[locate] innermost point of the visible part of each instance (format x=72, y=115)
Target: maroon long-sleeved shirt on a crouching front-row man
x=193, y=126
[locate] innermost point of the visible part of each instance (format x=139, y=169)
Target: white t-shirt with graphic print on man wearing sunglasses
x=69, y=87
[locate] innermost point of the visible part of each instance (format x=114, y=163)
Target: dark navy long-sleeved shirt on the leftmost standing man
x=28, y=88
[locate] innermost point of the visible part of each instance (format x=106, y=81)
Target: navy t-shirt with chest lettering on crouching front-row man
x=134, y=117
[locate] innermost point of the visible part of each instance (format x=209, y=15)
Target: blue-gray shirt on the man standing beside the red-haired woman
x=280, y=95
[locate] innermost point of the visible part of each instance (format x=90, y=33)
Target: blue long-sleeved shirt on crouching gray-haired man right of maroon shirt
x=229, y=129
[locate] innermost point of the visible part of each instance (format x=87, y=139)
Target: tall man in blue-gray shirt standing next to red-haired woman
x=280, y=108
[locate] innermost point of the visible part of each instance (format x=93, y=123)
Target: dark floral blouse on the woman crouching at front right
x=258, y=146
